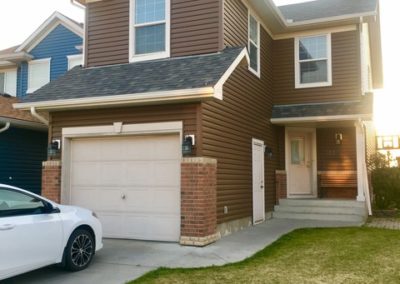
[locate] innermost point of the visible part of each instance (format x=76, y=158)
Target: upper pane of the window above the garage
x=149, y=11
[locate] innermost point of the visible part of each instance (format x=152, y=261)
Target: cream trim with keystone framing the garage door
x=117, y=129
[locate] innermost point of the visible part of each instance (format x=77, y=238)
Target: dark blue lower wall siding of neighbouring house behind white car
x=21, y=164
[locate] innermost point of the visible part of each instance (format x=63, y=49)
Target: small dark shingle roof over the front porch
x=324, y=109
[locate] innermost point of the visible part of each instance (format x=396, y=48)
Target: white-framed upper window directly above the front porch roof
x=313, y=61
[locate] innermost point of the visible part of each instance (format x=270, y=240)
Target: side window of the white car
x=15, y=203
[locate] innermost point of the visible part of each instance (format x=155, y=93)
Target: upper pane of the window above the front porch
x=313, y=48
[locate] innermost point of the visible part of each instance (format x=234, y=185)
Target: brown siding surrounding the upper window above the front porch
x=346, y=81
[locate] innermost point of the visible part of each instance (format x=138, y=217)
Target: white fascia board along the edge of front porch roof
x=350, y=117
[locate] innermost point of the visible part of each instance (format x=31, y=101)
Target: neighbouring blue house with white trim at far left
x=49, y=52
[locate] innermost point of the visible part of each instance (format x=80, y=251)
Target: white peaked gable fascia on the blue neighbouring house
x=44, y=29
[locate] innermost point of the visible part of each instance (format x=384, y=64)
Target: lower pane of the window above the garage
x=150, y=39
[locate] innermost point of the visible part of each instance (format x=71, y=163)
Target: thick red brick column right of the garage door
x=198, y=201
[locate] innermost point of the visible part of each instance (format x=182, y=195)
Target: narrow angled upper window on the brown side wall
x=254, y=45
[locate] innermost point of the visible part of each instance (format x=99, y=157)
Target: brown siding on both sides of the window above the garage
x=195, y=29
